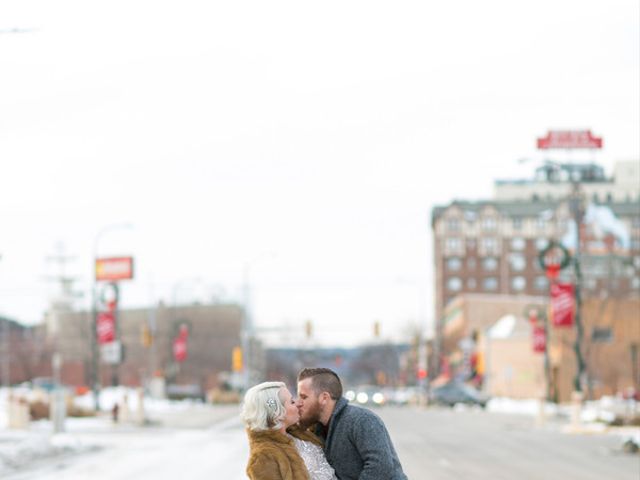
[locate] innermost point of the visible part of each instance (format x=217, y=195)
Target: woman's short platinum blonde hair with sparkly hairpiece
x=263, y=408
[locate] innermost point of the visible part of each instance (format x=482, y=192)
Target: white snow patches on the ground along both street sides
x=26, y=447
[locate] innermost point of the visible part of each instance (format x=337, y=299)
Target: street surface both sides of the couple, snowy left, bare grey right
x=432, y=444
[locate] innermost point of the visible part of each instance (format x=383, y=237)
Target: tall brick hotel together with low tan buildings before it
x=487, y=272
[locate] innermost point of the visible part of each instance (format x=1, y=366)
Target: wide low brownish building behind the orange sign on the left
x=213, y=332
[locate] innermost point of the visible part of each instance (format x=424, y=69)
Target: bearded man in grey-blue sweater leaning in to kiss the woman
x=356, y=442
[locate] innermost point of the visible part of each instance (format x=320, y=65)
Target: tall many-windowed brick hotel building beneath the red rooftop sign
x=492, y=246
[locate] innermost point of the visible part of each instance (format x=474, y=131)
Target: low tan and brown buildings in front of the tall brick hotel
x=611, y=345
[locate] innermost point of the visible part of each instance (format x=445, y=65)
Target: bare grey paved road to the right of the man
x=445, y=444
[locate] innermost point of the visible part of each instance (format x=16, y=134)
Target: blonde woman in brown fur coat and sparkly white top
x=279, y=450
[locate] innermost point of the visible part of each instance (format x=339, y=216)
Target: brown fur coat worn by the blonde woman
x=273, y=456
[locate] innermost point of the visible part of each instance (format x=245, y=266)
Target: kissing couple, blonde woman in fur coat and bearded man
x=316, y=436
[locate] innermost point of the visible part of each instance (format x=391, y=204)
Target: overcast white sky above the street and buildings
x=309, y=140
